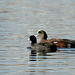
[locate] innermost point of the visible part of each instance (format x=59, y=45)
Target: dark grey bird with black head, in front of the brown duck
x=41, y=47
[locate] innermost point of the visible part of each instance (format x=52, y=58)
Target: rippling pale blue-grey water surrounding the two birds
x=21, y=18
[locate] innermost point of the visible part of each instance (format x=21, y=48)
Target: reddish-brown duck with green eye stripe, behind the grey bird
x=60, y=43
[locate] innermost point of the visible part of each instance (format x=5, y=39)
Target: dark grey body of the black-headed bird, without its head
x=44, y=47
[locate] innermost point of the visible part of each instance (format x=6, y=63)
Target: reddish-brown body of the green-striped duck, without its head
x=61, y=43
